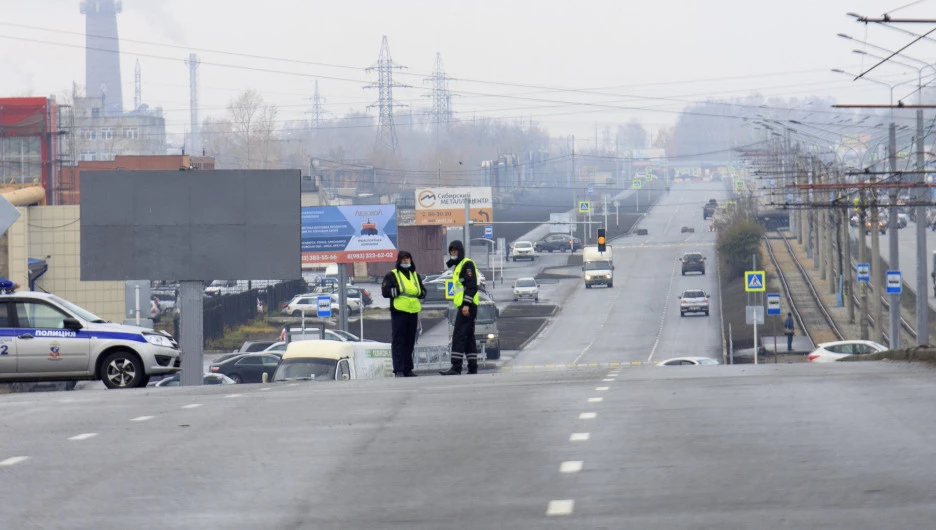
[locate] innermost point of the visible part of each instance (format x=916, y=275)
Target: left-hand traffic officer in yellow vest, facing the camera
x=404, y=288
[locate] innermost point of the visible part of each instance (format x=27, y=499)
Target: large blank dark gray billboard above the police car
x=190, y=225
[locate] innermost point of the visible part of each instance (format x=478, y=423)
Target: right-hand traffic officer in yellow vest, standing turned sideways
x=466, y=307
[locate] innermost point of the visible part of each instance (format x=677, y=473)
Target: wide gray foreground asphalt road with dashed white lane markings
x=787, y=446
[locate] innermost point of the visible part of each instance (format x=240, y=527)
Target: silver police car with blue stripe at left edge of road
x=46, y=338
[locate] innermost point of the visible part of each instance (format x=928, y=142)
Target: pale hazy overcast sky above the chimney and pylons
x=509, y=58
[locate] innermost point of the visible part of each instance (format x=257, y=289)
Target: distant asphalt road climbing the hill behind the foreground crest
x=638, y=319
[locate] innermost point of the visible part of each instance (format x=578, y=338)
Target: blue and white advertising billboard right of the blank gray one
x=348, y=234
